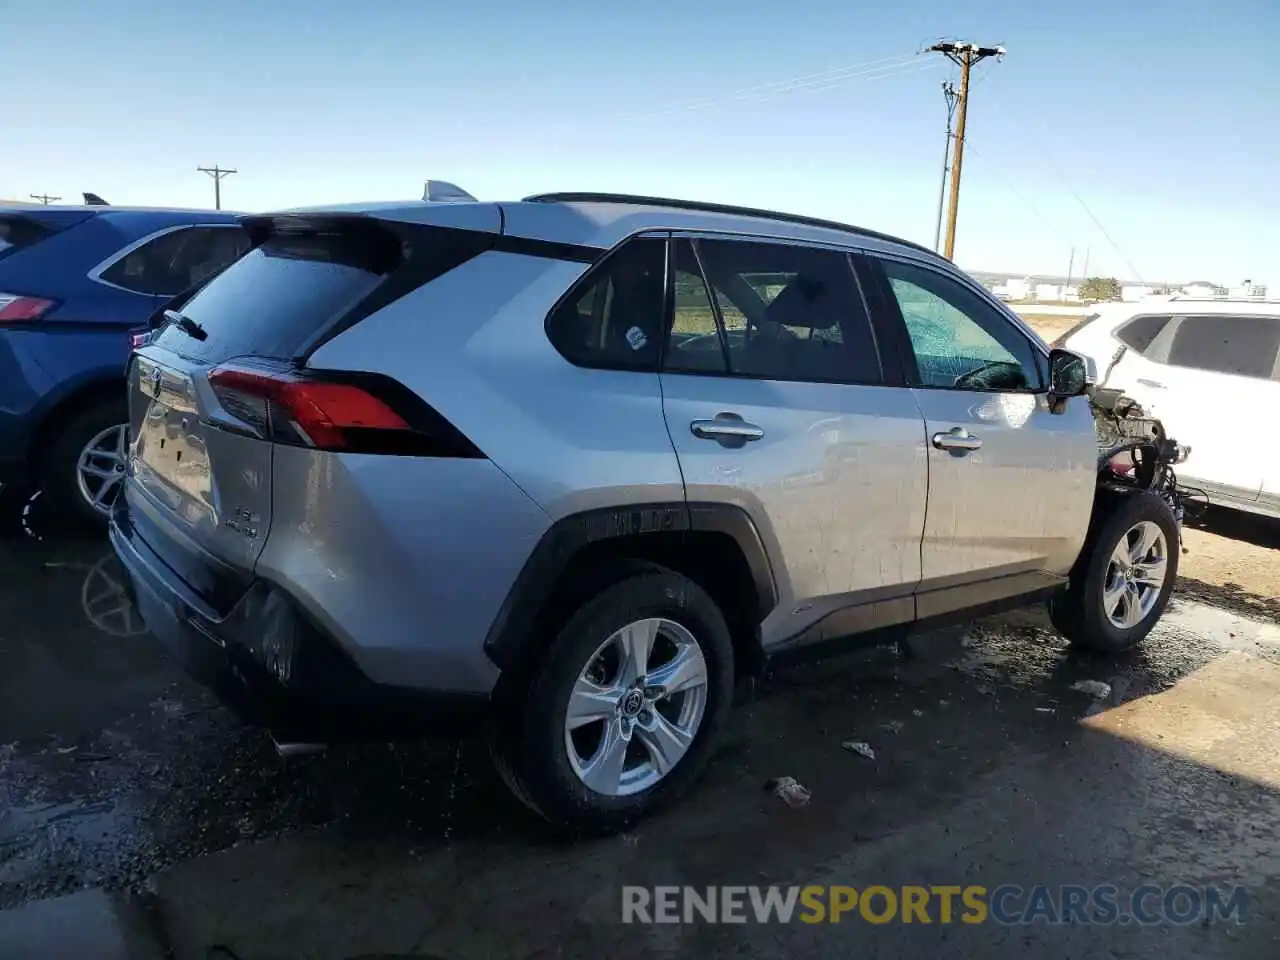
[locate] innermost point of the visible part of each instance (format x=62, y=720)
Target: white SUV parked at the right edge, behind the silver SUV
x=1209, y=369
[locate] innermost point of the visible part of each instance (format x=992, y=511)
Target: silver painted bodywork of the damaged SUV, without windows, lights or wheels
x=406, y=561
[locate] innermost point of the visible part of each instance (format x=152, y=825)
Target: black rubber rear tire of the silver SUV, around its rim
x=548, y=769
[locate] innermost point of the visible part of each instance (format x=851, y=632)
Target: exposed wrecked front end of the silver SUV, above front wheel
x=1135, y=452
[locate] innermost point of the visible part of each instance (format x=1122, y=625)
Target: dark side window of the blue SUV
x=177, y=260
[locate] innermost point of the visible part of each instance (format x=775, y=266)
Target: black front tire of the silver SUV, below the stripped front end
x=1091, y=614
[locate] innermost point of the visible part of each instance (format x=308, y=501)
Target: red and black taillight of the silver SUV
x=337, y=412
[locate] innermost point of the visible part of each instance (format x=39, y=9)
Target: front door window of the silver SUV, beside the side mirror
x=959, y=341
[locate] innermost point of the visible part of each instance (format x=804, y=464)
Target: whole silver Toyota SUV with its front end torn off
x=563, y=469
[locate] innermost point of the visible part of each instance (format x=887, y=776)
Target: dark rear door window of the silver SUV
x=770, y=312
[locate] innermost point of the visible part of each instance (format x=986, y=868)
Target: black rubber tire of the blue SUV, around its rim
x=60, y=467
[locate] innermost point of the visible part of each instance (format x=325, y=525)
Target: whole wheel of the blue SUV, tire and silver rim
x=84, y=468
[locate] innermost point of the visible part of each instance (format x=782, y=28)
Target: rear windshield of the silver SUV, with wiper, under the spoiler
x=280, y=296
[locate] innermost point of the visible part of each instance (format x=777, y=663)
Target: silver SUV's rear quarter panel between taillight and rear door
x=473, y=345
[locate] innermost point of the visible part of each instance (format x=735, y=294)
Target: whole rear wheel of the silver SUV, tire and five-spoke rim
x=625, y=707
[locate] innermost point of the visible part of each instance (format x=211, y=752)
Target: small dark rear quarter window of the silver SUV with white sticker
x=615, y=319
